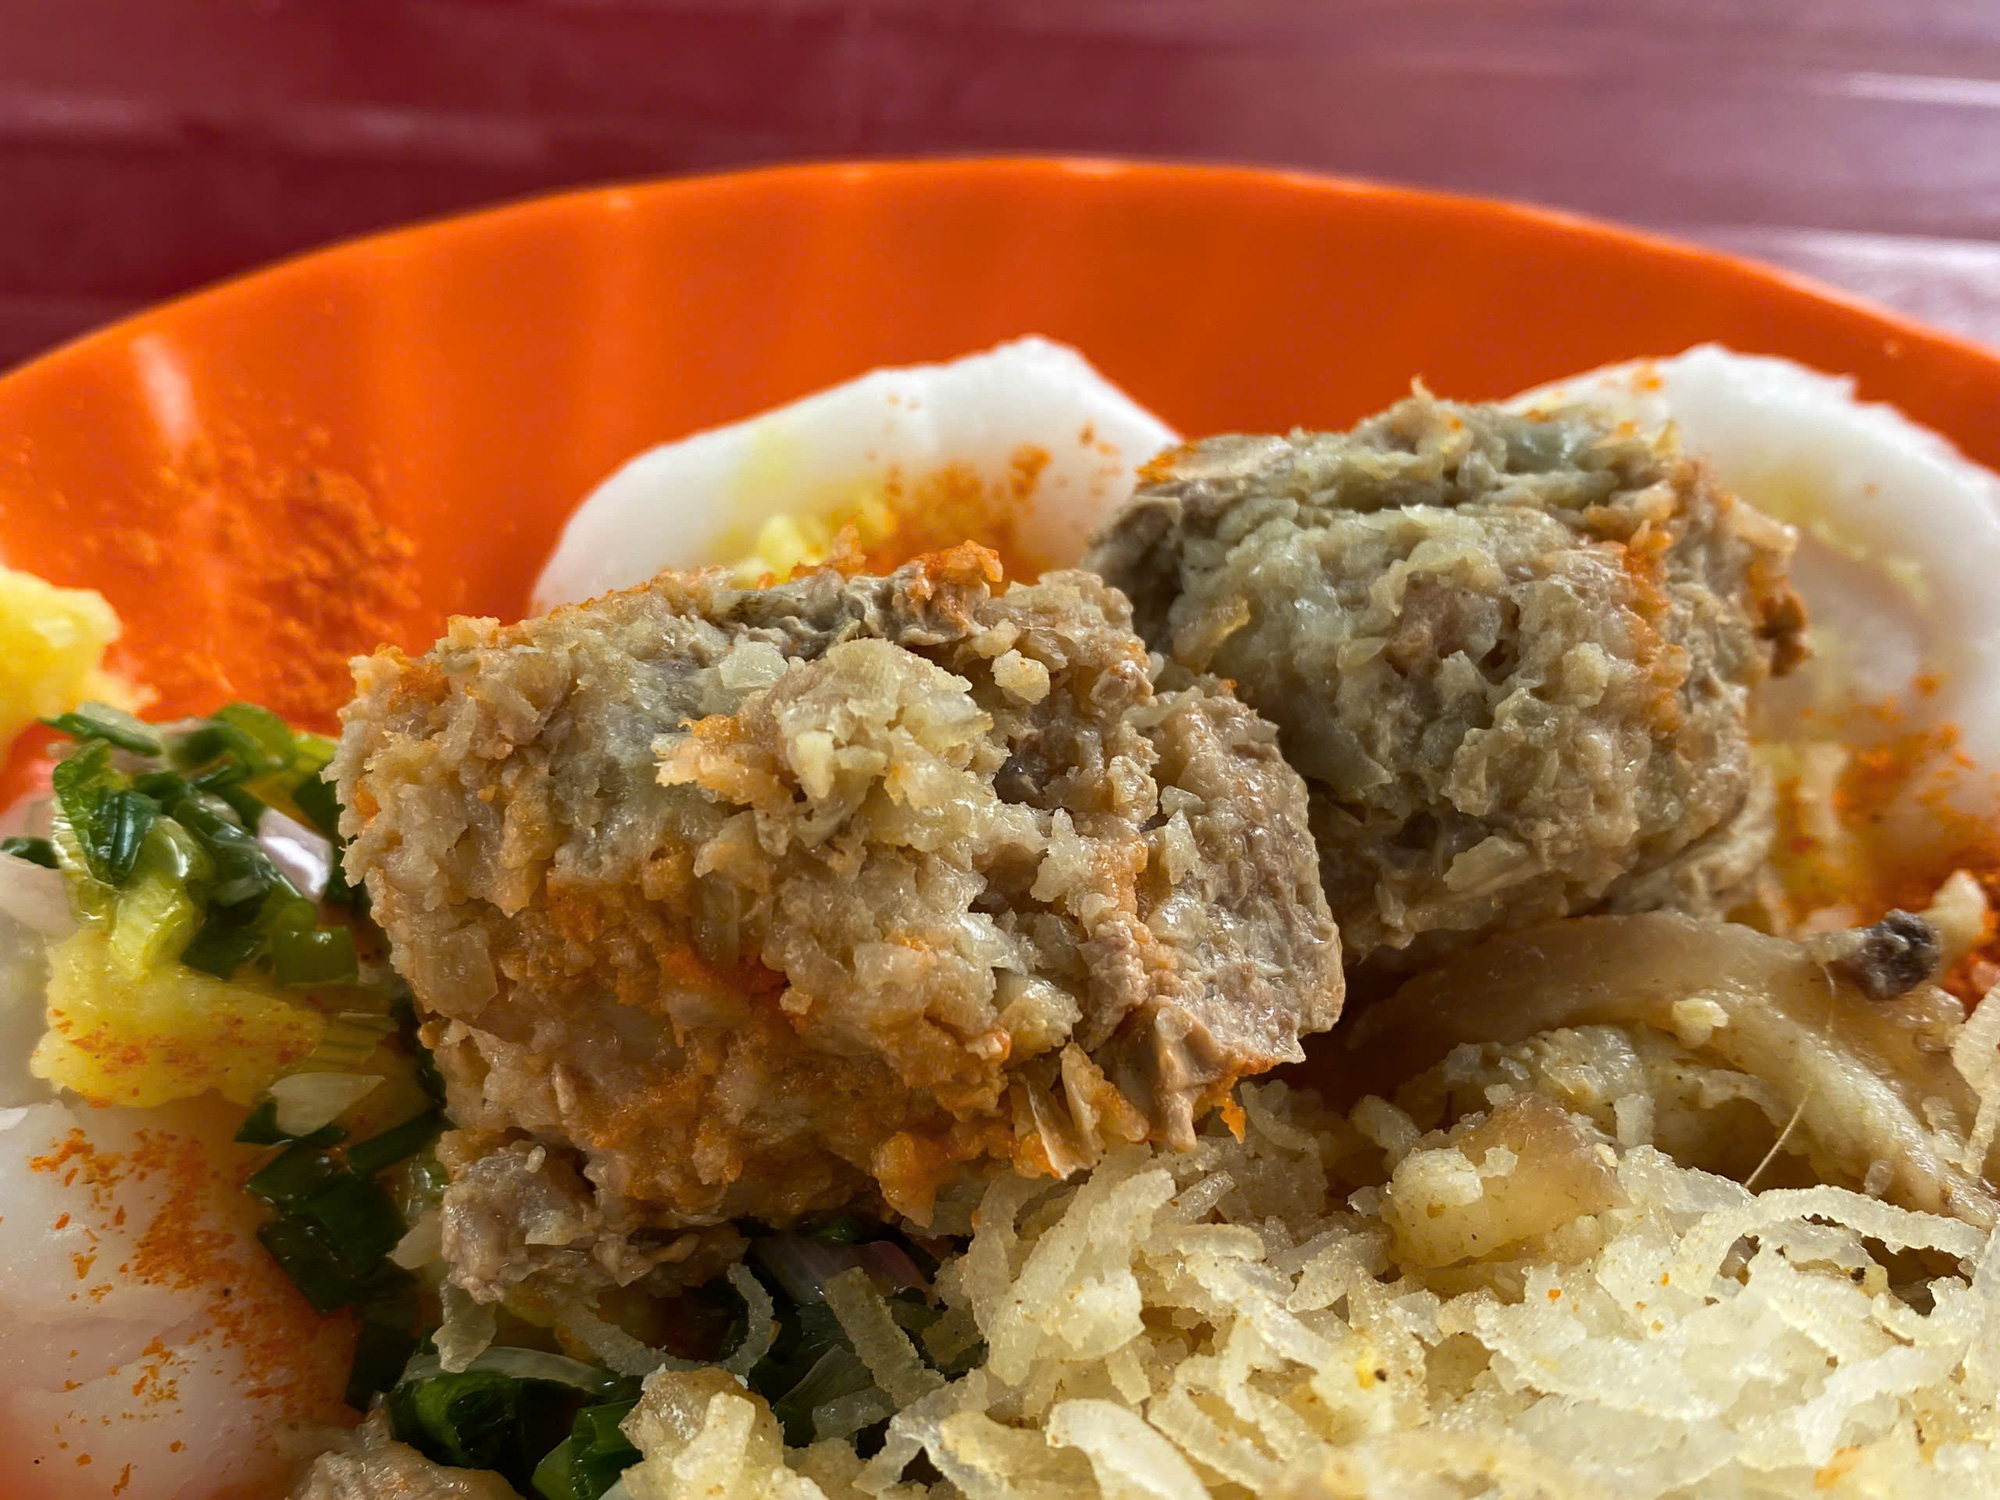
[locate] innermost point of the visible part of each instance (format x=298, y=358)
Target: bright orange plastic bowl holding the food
x=351, y=447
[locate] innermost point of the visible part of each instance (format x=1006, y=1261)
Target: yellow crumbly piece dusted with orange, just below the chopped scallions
x=171, y=1033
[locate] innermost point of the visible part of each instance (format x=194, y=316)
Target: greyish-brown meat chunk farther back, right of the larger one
x=1511, y=655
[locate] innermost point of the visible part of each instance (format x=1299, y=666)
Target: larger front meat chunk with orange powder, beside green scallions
x=767, y=903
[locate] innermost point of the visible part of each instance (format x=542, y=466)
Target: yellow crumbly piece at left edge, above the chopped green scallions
x=53, y=651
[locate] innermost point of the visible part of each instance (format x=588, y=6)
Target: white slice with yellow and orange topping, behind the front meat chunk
x=1025, y=443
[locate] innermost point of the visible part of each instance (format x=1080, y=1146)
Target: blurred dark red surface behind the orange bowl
x=149, y=147
